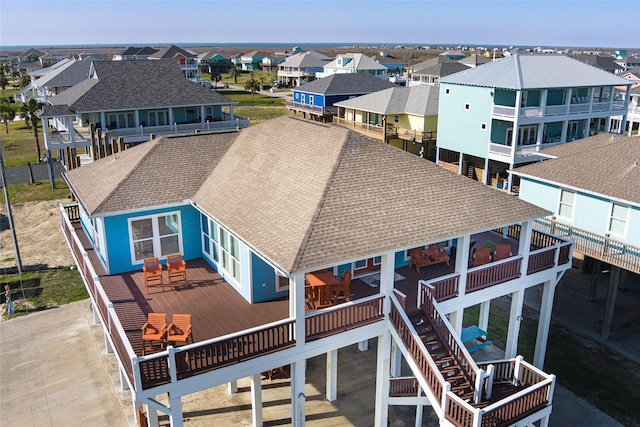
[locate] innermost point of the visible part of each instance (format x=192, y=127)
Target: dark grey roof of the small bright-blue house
x=342, y=84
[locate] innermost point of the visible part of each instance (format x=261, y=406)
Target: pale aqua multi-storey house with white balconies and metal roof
x=501, y=114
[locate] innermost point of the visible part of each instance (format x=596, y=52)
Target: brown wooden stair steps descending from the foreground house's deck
x=447, y=364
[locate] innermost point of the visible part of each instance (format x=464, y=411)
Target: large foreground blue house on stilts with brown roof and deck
x=254, y=215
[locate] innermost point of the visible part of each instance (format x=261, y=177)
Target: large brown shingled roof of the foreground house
x=340, y=196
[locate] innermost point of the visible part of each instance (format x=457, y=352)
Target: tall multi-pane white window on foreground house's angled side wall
x=221, y=247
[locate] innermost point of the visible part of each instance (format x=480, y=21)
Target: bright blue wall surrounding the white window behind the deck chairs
x=117, y=237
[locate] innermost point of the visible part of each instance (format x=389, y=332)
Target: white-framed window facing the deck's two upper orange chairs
x=155, y=236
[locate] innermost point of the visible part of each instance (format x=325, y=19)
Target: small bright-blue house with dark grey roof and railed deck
x=317, y=98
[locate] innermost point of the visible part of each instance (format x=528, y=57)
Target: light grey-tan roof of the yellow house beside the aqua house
x=420, y=100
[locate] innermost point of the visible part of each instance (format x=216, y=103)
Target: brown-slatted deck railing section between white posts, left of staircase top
x=343, y=317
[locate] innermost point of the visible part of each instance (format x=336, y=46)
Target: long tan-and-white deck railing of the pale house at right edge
x=595, y=245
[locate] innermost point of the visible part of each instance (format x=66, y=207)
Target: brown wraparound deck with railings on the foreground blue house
x=228, y=330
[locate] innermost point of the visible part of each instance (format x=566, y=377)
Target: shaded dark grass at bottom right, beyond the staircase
x=591, y=371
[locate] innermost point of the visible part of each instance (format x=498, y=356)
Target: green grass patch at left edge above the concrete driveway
x=43, y=289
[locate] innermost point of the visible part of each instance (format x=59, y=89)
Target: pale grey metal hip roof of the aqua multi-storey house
x=535, y=72
